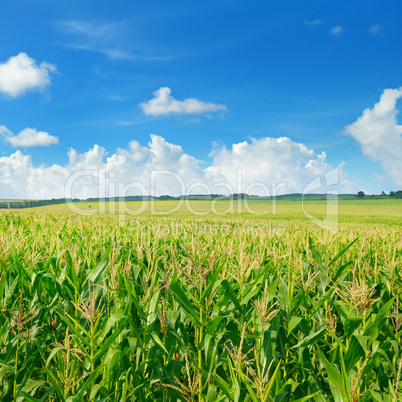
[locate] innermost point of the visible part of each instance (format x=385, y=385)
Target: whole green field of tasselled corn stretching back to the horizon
x=201, y=307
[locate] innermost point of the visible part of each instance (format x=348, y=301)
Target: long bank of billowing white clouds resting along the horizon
x=254, y=166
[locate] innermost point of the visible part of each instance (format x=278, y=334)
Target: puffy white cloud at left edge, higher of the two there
x=21, y=73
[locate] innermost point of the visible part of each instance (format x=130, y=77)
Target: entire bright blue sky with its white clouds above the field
x=200, y=77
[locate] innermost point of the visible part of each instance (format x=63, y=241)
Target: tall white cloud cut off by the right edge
x=379, y=134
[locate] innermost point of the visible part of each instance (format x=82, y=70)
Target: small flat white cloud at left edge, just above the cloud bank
x=29, y=137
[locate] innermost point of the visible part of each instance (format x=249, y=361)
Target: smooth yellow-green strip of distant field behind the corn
x=386, y=210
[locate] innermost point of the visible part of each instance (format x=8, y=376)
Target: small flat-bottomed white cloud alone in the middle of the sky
x=164, y=104
